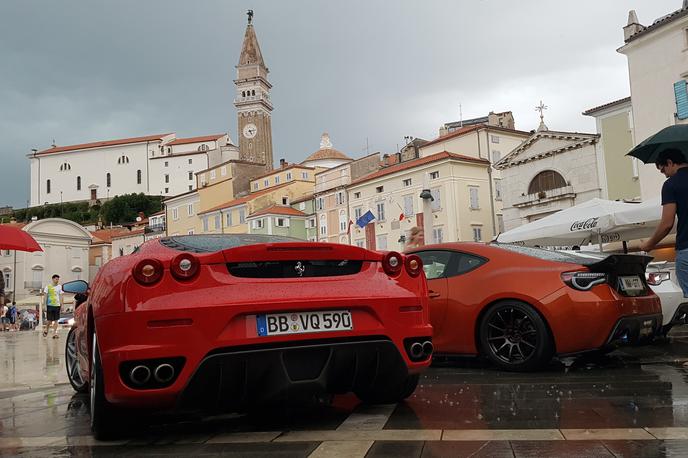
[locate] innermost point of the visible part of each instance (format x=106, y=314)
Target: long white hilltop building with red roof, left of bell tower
x=153, y=165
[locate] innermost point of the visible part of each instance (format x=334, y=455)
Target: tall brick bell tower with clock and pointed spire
x=252, y=102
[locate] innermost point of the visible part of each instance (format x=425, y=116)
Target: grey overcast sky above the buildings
x=80, y=71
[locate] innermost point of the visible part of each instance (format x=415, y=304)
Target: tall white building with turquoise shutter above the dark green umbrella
x=657, y=71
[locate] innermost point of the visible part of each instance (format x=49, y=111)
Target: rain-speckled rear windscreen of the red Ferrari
x=218, y=242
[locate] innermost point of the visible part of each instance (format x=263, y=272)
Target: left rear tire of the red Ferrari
x=105, y=423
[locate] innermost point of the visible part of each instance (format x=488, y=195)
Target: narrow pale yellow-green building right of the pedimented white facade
x=619, y=173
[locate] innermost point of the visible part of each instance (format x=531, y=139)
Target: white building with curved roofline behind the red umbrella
x=65, y=252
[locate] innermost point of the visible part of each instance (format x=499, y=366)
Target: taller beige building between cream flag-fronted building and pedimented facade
x=487, y=142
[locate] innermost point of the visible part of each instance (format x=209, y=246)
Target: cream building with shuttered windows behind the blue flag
x=460, y=209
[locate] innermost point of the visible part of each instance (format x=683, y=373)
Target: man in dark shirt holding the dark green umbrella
x=672, y=163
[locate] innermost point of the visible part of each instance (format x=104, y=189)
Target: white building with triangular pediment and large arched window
x=549, y=172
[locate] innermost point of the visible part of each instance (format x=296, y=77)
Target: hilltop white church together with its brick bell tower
x=161, y=164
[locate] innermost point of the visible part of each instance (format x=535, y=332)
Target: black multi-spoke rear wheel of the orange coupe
x=514, y=337
